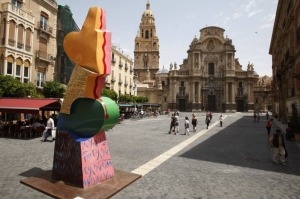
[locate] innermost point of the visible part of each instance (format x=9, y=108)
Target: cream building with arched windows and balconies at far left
x=28, y=40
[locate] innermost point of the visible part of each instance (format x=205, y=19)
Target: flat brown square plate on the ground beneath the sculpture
x=60, y=189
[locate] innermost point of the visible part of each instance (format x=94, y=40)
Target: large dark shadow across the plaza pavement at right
x=244, y=143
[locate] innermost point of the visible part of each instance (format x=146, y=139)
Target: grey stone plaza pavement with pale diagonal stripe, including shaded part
x=232, y=161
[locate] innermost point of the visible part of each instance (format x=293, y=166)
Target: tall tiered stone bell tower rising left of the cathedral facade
x=146, y=50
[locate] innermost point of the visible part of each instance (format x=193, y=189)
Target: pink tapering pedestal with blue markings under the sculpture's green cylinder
x=85, y=163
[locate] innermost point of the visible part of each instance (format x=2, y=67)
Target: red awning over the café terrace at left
x=25, y=105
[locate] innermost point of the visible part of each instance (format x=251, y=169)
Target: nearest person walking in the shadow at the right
x=277, y=147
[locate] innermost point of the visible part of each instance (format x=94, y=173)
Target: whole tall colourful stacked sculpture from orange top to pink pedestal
x=81, y=154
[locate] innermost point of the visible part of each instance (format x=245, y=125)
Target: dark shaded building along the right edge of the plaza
x=285, y=51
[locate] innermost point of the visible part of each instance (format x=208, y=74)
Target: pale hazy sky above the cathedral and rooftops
x=249, y=23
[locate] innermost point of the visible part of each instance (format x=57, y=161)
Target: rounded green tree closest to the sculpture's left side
x=53, y=89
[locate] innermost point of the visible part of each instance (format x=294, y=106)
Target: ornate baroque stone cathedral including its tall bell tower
x=210, y=78
